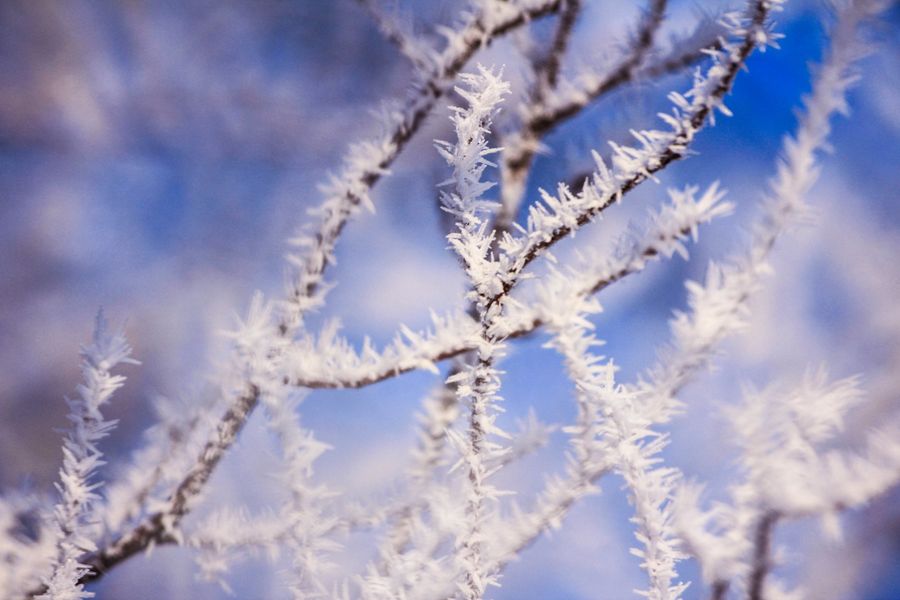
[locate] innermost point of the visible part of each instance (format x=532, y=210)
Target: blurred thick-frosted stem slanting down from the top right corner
x=718, y=306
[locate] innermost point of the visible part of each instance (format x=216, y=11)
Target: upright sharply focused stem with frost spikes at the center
x=478, y=383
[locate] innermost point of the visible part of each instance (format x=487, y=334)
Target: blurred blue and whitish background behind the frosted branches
x=155, y=156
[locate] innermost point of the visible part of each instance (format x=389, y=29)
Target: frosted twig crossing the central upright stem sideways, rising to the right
x=330, y=361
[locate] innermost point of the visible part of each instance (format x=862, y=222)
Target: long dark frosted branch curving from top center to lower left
x=364, y=166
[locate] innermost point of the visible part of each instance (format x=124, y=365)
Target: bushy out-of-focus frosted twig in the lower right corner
x=782, y=432
